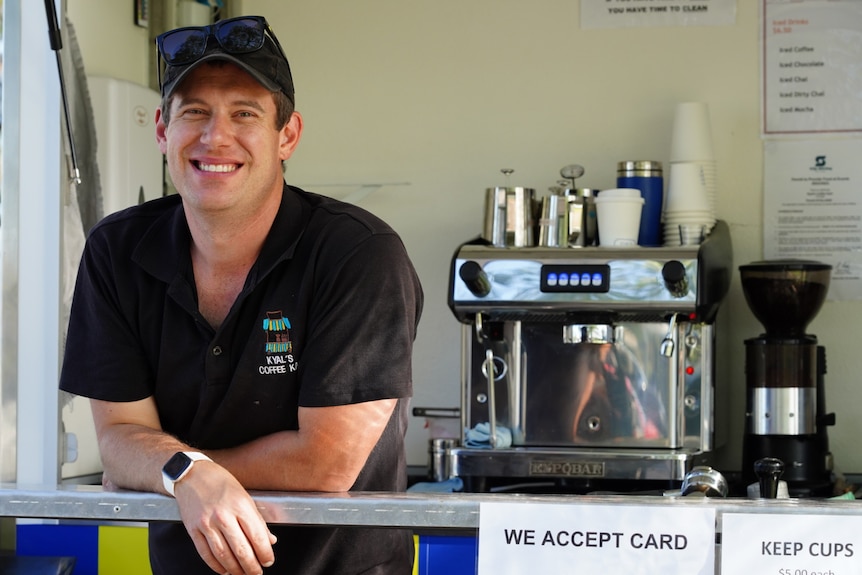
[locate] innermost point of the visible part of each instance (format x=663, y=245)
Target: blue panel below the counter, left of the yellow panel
x=80, y=541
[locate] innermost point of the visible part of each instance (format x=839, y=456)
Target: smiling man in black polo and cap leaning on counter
x=244, y=334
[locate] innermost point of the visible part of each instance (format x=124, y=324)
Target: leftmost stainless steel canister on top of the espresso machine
x=509, y=217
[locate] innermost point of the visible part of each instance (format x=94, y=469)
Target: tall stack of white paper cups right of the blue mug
x=690, y=200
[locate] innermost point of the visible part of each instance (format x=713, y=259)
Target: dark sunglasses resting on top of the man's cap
x=240, y=35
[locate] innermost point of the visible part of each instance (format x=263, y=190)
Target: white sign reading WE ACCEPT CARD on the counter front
x=519, y=538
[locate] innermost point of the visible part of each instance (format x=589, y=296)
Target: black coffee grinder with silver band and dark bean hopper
x=785, y=412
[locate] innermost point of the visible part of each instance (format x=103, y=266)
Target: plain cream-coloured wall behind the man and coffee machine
x=433, y=99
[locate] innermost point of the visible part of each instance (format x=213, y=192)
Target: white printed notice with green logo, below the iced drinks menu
x=812, y=208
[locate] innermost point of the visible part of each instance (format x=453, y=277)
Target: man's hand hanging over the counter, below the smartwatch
x=223, y=521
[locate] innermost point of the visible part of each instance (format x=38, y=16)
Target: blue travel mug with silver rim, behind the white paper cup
x=646, y=176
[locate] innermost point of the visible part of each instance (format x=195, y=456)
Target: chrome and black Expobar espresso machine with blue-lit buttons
x=587, y=368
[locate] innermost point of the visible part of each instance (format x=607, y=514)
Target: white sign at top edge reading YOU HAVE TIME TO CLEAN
x=645, y=13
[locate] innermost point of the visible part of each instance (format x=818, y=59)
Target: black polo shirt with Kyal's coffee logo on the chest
x=327, y=316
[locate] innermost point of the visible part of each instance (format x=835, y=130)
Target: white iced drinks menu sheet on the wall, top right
x=812, y=80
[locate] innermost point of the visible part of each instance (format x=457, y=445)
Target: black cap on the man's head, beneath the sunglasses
x=267, y=65
